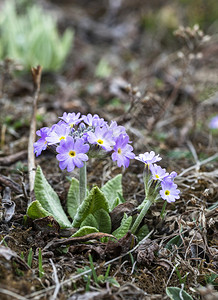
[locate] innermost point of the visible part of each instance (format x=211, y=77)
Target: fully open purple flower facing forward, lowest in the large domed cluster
x=72, y=153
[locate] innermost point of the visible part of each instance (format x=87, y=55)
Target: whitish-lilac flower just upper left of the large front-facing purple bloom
x=59, y=132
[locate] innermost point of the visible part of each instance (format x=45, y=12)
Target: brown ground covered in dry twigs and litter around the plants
x=163, y=88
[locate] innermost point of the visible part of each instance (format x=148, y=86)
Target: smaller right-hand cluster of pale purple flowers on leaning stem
x=158, y=183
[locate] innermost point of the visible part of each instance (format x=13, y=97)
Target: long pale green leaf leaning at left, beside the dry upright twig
x=49, y=199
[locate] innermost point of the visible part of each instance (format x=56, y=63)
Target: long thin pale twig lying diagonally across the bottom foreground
x=73, y=278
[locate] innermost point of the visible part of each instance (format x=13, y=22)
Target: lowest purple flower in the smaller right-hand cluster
x=169, y=191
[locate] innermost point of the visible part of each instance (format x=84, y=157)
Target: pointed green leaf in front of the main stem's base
x=93, y=202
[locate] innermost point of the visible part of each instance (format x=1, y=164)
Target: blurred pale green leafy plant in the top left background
x=32, y=38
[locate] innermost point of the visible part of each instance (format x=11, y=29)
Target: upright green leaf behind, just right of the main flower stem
x=113, y=189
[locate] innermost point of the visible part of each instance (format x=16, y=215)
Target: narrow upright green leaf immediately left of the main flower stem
x=73, y=200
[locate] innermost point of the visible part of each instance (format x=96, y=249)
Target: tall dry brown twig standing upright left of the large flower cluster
x=36, y=73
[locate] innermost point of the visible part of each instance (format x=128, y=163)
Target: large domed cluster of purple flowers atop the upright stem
x=75, y=136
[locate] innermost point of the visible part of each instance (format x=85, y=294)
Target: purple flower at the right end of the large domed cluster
x=122, y=151
